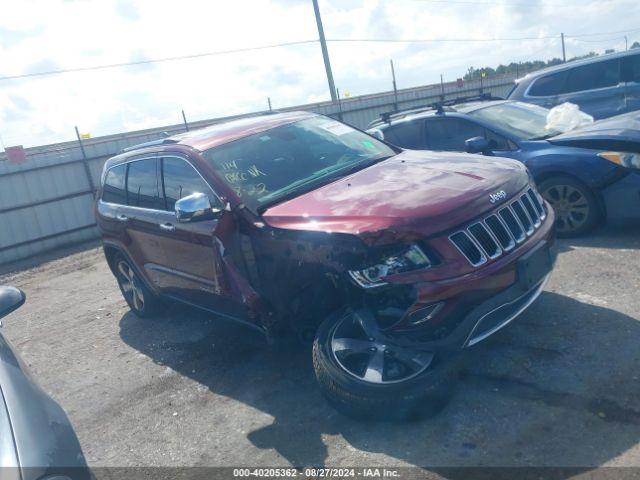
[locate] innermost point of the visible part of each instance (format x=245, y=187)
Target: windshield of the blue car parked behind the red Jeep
x=523, y=120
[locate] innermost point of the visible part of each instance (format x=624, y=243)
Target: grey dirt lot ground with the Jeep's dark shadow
x=560, y=386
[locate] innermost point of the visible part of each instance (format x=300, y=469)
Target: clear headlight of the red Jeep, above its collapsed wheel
x=411, y=258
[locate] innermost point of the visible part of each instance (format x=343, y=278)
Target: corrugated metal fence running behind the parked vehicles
x=46, y=202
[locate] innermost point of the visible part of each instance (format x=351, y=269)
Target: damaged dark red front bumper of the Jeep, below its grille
x=479, y=304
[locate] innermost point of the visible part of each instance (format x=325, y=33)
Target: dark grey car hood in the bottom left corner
x=42, y=432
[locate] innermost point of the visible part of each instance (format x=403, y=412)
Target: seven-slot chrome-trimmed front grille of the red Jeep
x=500, y=231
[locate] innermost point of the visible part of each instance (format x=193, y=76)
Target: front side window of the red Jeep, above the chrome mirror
x=180, y=179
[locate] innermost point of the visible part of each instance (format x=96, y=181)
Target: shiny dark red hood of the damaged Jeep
x=415, y=191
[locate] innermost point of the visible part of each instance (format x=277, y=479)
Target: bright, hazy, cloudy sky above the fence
x=39, y=36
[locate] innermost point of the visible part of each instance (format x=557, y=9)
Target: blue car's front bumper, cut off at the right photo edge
x=622, y=200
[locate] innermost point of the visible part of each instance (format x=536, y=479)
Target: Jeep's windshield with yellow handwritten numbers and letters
x=267, y=167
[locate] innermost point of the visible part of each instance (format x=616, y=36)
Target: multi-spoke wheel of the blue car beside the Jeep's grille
x=576, y=207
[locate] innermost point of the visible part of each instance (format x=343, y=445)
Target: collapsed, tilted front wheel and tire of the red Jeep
x=380, y=391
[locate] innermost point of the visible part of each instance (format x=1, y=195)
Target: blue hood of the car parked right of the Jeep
x=609, y=133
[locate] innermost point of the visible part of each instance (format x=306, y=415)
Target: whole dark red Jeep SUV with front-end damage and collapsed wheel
x=392, y=260
